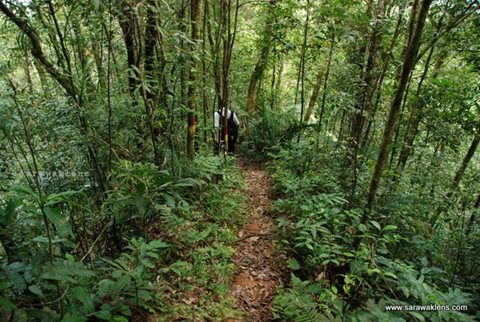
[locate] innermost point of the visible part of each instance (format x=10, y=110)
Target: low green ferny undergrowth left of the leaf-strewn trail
x=175, y=237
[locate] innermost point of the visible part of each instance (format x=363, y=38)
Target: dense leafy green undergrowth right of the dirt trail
x=344, y=267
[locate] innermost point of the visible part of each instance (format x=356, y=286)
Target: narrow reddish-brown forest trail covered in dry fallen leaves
x=258, y=272
